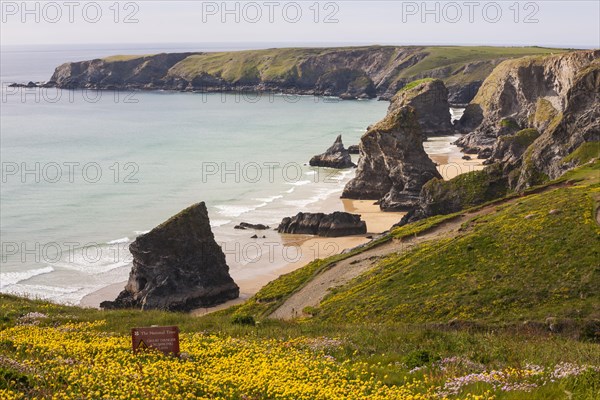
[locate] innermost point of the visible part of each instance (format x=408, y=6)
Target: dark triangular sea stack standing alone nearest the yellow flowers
x=177, y=266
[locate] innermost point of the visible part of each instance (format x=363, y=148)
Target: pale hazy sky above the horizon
x=541, y=23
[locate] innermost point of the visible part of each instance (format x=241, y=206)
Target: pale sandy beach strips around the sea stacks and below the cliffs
x=298, y=250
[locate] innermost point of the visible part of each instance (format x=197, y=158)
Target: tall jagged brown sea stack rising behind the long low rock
x=393, y=165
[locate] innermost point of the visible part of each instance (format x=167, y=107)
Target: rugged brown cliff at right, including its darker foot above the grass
x=535, y=118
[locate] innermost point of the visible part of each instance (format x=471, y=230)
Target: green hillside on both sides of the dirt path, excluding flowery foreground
x=529, y=259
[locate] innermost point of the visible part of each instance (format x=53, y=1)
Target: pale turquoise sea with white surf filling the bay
x=85, y=172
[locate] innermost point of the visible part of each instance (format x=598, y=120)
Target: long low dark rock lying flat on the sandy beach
x=328, y=225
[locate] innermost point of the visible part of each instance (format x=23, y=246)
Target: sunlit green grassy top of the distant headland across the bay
x=279, y=64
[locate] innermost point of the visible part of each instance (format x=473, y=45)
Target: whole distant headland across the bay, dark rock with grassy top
x=350, y=72
